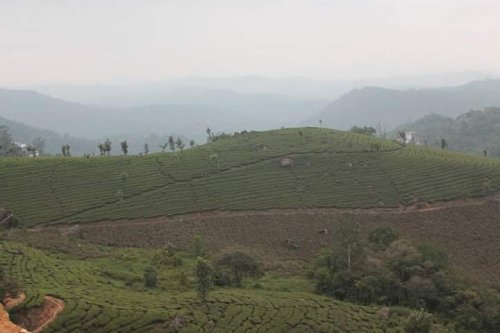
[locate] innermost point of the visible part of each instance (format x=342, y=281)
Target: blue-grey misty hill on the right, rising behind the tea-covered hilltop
x=390, y=108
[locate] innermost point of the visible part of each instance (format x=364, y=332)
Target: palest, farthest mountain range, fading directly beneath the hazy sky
x=186, y=89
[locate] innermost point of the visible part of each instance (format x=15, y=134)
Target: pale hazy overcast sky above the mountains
x=89, y=41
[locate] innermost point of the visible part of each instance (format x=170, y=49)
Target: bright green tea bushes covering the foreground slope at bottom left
x=105, y=294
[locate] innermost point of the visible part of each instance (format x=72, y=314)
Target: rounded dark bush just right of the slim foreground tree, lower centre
x=231, y=268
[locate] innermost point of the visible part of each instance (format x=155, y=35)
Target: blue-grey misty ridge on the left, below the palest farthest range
x=187, y=113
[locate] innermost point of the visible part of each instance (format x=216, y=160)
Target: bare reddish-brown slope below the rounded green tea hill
x=469, y=230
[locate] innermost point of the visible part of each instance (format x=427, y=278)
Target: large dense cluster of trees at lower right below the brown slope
x=391, y=271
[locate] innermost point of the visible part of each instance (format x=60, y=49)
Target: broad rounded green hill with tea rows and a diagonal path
x=332, y=169
